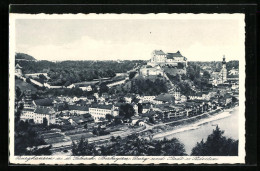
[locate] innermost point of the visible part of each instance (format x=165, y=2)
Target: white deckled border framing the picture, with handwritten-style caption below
x=130, y=159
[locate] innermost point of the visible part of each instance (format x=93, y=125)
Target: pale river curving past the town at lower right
x=227, y=121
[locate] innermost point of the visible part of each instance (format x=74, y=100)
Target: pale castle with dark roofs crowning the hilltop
x=170, y=59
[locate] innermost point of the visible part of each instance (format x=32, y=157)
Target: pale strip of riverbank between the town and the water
x=195, y=125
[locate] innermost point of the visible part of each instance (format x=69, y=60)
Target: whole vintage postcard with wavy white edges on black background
x=126, y=88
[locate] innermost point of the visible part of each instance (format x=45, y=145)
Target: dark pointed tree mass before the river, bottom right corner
x=216, y=145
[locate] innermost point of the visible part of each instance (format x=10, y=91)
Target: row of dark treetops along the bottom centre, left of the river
x=132, y=145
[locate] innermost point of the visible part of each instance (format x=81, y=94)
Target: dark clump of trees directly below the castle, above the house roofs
x=148, y=87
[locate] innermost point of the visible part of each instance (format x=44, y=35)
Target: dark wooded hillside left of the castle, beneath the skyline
x=65, y=73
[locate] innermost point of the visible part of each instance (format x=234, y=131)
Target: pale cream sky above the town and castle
x=128, y=39
